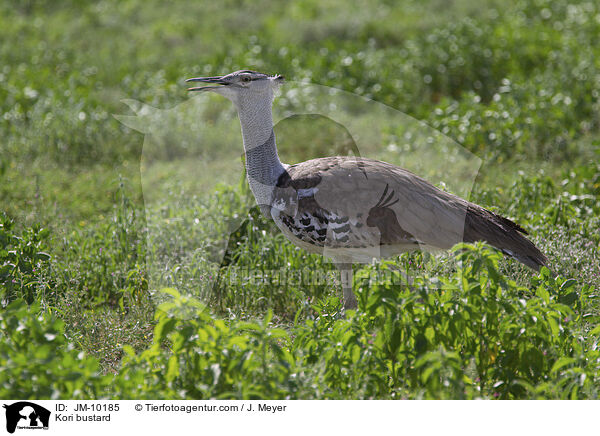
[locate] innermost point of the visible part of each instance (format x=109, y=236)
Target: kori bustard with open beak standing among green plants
x=353, y=209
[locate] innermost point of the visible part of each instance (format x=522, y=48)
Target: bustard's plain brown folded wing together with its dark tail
x=387, y=205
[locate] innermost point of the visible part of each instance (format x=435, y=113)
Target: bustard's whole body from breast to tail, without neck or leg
x=361, y=208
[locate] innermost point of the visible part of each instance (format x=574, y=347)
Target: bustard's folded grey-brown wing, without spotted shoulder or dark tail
x=394, y=201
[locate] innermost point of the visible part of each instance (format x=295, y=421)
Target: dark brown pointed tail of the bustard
x=507, y=236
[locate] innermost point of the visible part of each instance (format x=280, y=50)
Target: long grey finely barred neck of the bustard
x=263, y=166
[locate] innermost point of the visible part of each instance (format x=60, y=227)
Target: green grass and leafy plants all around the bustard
x=125, y=280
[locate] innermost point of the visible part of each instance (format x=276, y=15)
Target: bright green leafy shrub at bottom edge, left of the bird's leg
x=197, y=356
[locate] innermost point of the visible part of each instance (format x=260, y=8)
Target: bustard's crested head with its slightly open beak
x=241, y=86
